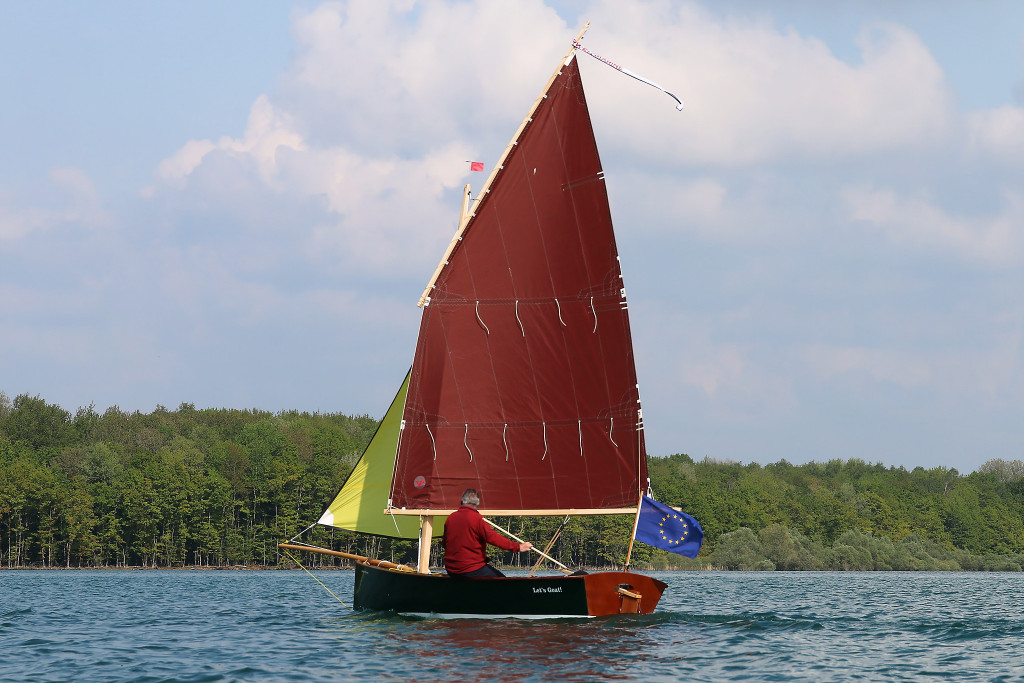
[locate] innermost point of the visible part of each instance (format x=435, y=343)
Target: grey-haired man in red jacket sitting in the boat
x=466, y=538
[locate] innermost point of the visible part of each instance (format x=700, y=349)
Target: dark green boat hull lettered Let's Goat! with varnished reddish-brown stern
x=589, y=595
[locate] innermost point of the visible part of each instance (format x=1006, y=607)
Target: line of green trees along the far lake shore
x=222, y=488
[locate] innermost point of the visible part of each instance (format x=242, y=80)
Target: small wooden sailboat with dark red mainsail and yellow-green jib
x=523, y=385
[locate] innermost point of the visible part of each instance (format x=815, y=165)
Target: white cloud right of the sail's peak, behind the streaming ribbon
x=755, y=94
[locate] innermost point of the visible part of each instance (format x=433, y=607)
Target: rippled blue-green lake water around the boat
x=281, y=626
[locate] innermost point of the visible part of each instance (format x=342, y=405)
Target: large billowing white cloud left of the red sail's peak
x=366, y=133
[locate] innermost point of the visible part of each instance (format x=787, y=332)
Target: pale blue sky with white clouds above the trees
x=238, y=204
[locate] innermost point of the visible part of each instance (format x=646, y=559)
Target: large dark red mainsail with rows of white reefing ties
x=524, y=385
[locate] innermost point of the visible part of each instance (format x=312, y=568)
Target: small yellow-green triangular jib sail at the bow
x=361, y=503
